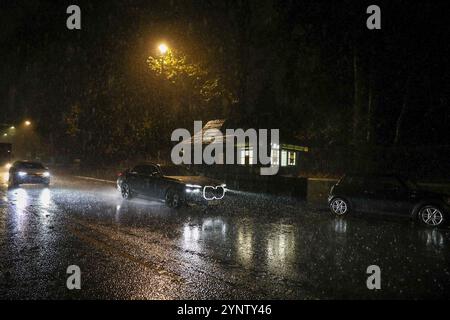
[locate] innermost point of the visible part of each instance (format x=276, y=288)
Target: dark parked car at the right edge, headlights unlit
x=388, y=194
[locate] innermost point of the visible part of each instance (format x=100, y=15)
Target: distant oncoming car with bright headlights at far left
x=25, y=172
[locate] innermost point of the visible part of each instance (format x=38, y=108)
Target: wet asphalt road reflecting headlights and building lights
x=252, y=247
